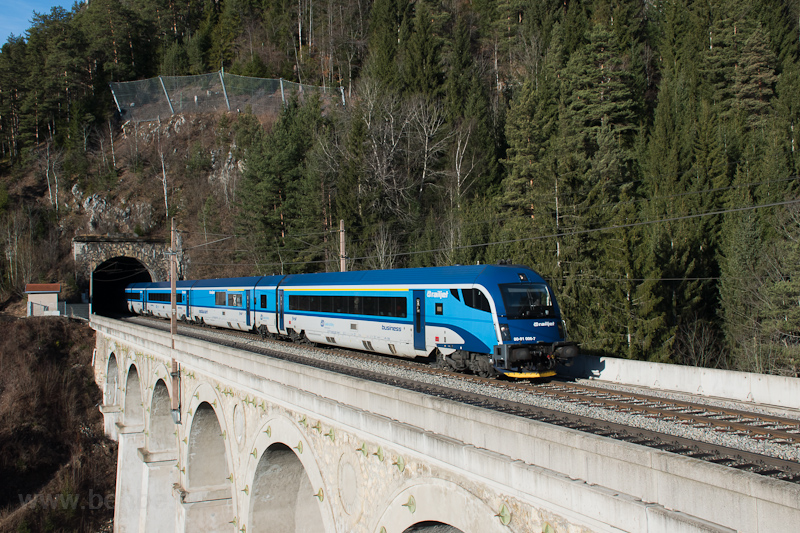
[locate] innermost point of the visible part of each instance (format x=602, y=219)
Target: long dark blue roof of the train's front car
x=452, y=275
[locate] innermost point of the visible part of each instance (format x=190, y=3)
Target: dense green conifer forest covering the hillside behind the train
x=641, y=155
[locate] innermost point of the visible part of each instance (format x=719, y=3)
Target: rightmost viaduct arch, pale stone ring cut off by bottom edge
x=438, y=503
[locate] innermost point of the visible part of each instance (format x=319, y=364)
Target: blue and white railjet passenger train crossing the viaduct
x=486, y=319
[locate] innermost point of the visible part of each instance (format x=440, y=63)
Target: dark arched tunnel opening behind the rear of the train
x=109, y=280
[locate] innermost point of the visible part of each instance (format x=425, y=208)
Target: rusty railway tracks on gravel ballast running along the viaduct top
x=702, y=416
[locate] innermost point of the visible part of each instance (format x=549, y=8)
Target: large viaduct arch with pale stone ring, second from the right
x=286, y=462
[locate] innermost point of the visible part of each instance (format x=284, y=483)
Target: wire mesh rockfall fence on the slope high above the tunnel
x=157, y=98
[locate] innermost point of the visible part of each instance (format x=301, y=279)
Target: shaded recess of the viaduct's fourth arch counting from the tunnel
x=207, y=453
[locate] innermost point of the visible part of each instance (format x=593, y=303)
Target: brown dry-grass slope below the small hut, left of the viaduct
x=51, y=432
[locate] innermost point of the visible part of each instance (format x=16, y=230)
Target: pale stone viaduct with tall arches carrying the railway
x=267, y=445
